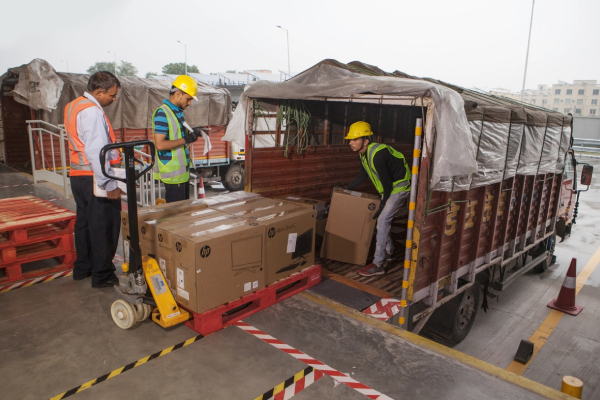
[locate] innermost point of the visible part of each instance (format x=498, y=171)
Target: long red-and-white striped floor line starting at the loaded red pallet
x=313, y=362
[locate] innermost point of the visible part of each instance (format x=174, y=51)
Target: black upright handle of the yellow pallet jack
x=135, y=253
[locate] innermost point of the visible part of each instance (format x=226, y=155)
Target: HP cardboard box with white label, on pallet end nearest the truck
x=290, y=240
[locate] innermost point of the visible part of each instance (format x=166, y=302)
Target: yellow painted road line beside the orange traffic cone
x=541, y=335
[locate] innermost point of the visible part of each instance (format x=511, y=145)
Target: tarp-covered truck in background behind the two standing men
x=33, y=118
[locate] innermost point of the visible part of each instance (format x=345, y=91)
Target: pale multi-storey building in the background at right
x=580, y=98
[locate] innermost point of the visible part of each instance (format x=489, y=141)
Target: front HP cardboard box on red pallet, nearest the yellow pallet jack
x=217, y=262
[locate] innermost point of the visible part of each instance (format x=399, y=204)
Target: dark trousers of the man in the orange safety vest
x=96, y=231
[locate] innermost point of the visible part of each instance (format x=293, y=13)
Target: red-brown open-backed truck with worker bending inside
x=495, y=181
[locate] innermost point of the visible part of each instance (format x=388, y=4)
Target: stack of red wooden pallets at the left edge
x=32, y=229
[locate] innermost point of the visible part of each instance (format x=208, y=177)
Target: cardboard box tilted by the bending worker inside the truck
x=350, y=226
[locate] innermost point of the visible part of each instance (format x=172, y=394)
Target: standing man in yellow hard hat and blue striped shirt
x=172, y=139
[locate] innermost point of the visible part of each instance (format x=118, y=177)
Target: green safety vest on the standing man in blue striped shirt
x=176, y=170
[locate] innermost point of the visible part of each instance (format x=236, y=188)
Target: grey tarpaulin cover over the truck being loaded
x=480, y=139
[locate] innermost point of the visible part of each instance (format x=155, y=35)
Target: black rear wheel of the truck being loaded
x=450, y=324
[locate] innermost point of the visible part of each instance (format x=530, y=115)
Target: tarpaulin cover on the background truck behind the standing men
x=42, y=88
